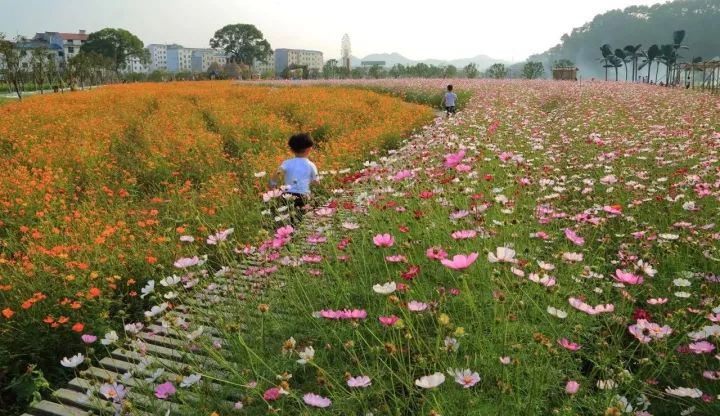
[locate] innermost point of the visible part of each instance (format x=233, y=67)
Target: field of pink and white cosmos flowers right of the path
x=552, y=249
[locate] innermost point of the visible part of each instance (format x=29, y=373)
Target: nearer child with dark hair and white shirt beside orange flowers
x=298, y=172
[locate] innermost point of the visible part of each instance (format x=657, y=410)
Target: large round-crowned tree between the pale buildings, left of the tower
x=243, y=43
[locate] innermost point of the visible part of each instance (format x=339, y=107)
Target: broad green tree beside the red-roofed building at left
x=118, y=45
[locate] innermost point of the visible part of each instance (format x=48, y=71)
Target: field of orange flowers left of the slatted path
x=97, y=187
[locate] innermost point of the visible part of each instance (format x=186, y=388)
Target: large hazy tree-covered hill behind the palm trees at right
x=639, y=25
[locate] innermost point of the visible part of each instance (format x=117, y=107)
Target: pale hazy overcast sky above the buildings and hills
x=418, y=29
